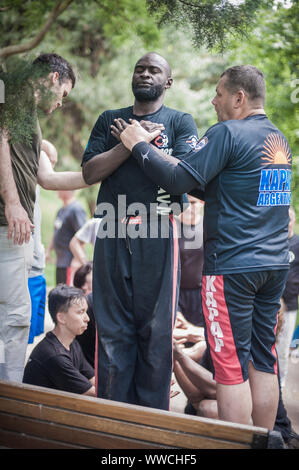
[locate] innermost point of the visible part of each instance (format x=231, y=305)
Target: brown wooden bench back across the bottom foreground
x=40, y=418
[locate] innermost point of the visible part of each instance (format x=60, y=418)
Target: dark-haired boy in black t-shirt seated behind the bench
x=58, y=361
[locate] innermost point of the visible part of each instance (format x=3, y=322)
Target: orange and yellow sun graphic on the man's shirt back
x=276, y=150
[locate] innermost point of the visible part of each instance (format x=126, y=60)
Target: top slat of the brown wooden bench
x=133, y=414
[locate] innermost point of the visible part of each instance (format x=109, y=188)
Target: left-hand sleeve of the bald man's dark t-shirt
x=97, y=140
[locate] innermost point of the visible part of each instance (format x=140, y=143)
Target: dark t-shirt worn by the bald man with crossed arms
x=178, y=138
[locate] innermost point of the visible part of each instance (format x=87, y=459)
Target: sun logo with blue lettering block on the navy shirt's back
x=275, y=183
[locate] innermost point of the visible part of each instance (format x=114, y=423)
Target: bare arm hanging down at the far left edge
x=19, y=223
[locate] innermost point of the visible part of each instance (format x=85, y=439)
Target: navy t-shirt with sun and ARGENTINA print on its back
x=245, y=168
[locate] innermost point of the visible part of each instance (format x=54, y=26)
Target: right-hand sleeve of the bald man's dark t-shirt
x=186, y=136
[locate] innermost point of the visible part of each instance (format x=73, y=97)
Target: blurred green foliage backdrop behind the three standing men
x=104, y=38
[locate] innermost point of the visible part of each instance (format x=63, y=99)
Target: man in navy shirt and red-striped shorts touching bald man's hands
x=243, y=165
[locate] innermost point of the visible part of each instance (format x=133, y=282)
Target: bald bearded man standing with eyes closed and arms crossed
x=135, y=273
